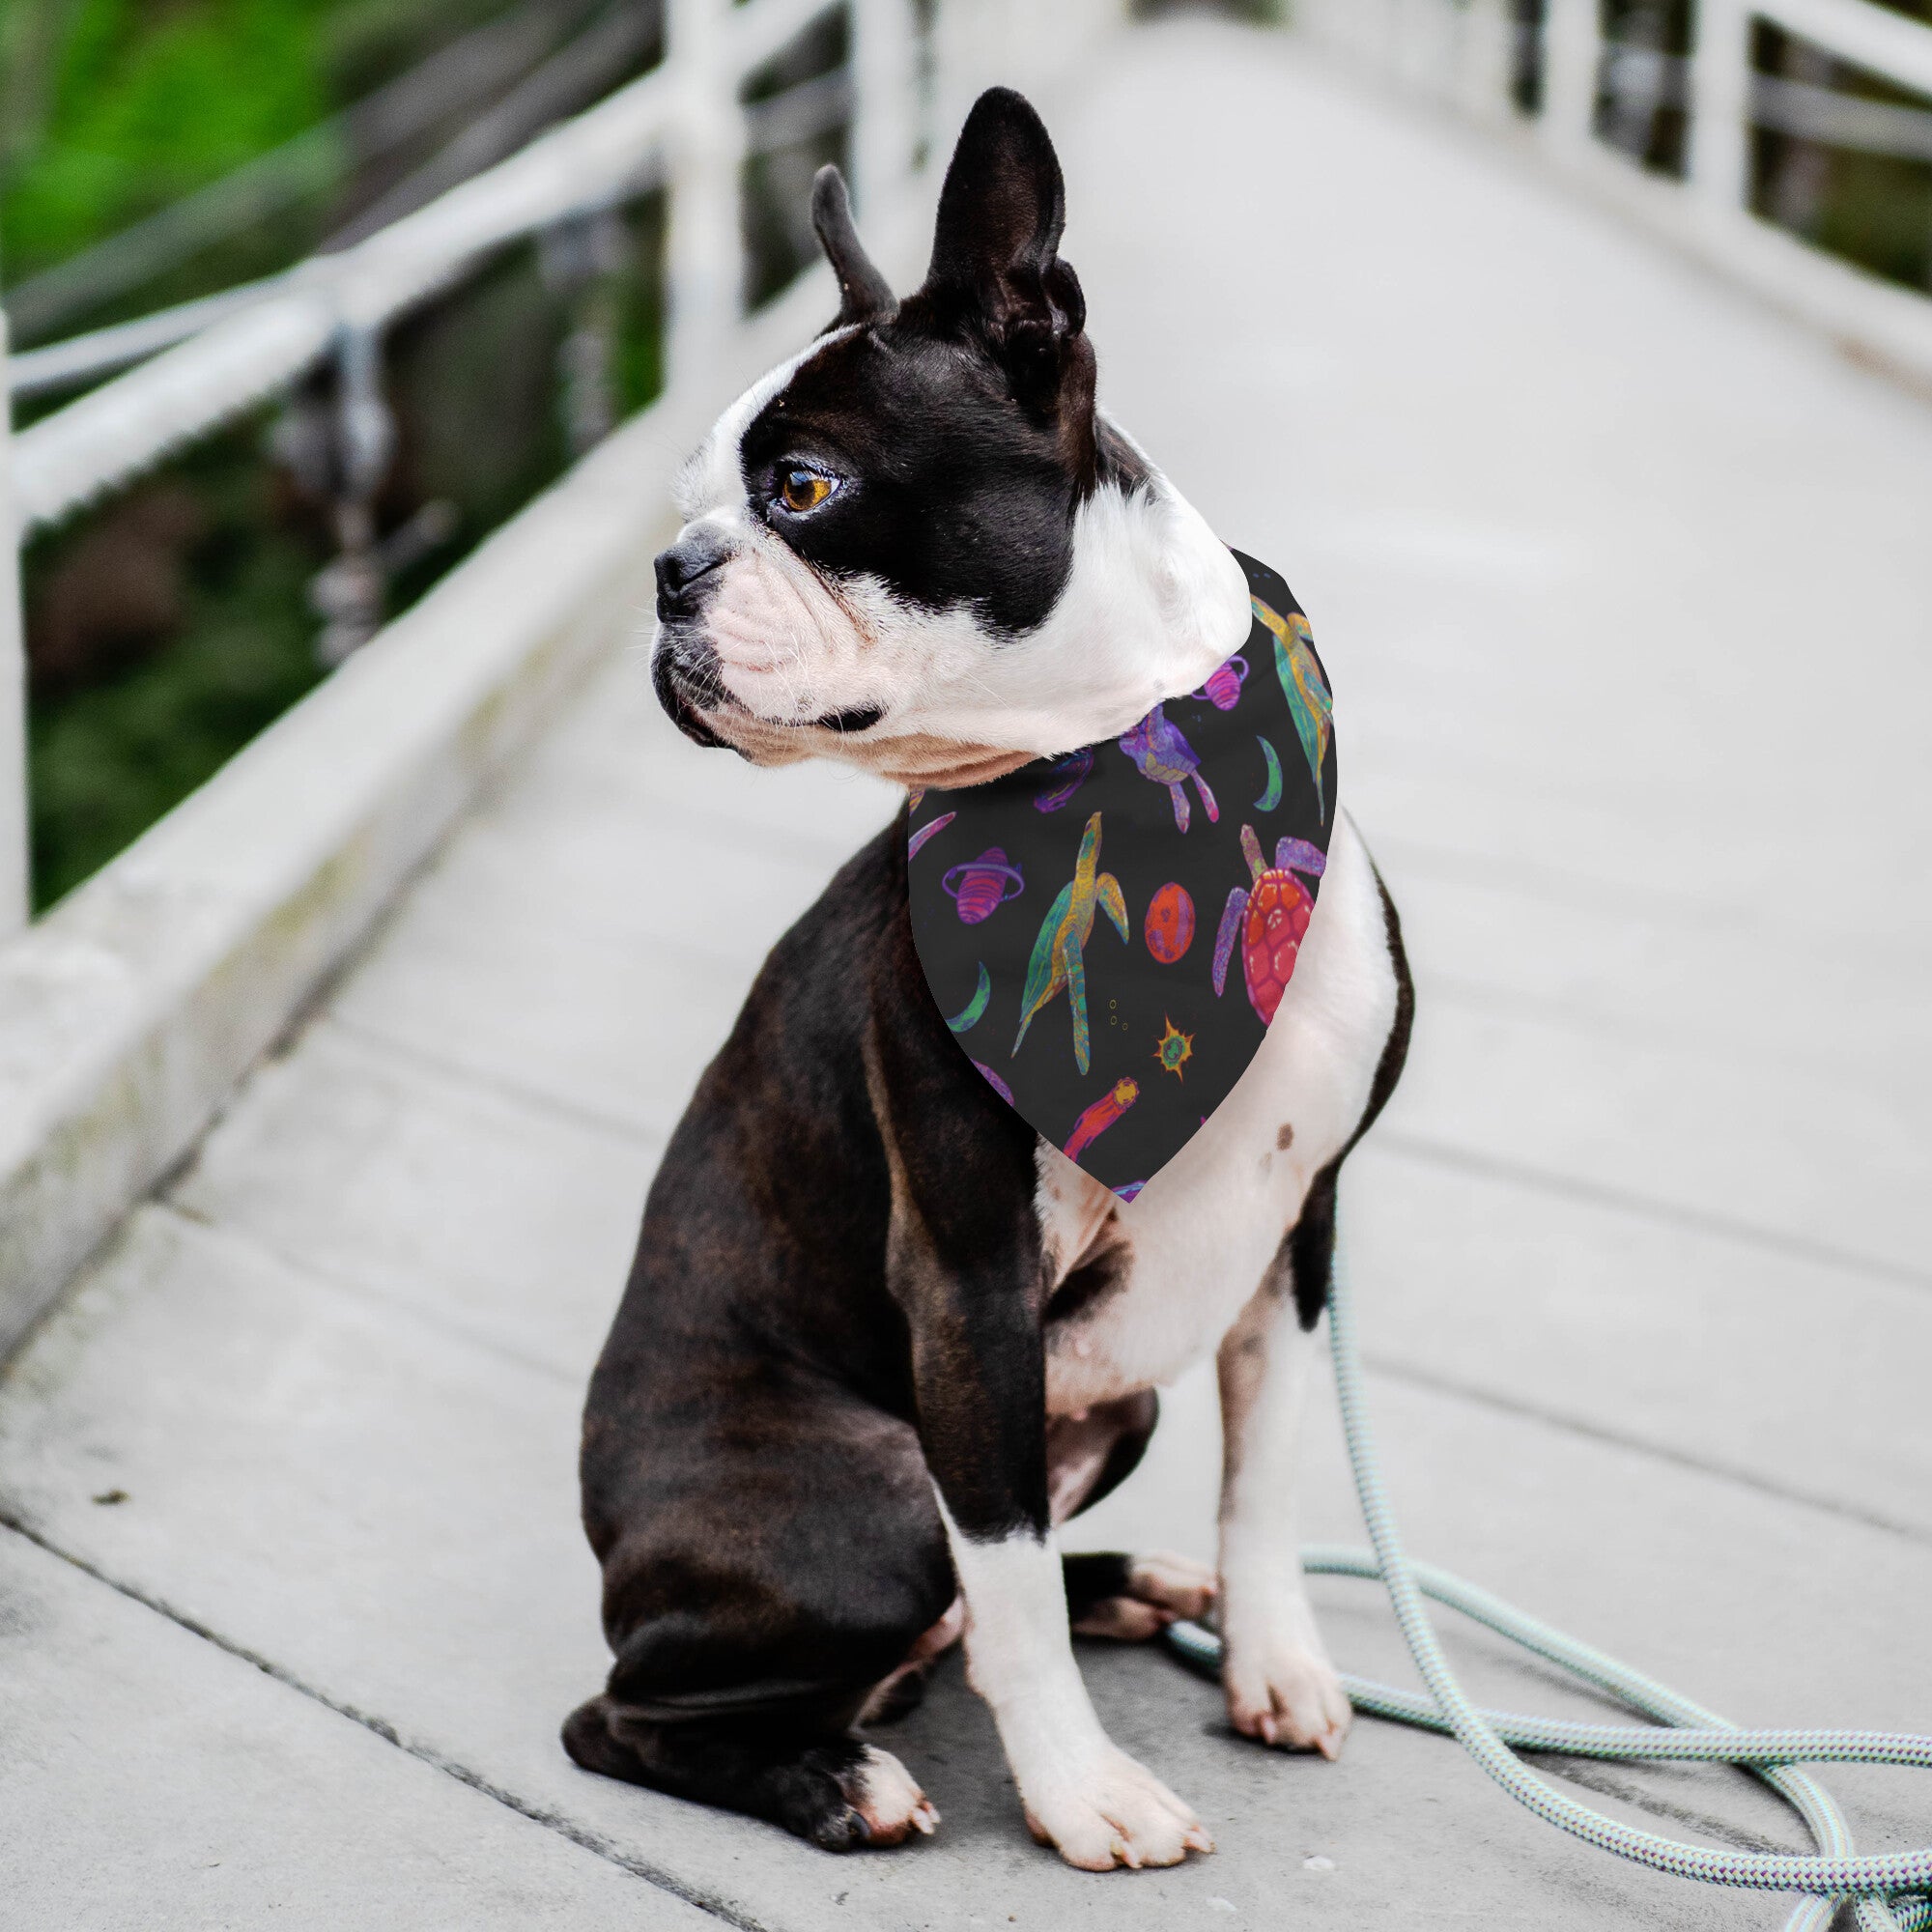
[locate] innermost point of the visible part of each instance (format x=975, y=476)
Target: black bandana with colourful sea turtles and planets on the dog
x=1108, y=934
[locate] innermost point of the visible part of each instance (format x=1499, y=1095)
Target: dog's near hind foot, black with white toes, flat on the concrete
x=824, y=1784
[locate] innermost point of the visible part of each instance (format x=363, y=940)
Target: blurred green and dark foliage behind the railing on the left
x=173, y=623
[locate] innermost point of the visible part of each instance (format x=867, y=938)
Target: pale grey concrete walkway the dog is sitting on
x=1624, y=586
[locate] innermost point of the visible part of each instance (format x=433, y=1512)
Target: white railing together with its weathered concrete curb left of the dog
x=130, y=1011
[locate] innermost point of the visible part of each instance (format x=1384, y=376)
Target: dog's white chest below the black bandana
x=1145, y=1290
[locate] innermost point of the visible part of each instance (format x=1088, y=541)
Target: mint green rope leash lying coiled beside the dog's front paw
x=1881, y=1887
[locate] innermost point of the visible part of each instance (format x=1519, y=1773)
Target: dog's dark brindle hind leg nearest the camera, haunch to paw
x=760, y=1583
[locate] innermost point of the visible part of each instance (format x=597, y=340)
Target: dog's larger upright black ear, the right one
x=996, y=260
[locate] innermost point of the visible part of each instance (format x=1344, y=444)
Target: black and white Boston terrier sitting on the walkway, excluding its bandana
x=880, y=1338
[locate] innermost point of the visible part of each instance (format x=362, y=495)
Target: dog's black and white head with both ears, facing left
x=917, y=546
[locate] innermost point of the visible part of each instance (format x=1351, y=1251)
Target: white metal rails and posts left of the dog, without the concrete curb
x=681, y=127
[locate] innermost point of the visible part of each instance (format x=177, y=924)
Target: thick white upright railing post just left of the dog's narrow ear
x=704, y=262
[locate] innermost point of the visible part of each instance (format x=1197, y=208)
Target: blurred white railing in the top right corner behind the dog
x=1469, y=55
